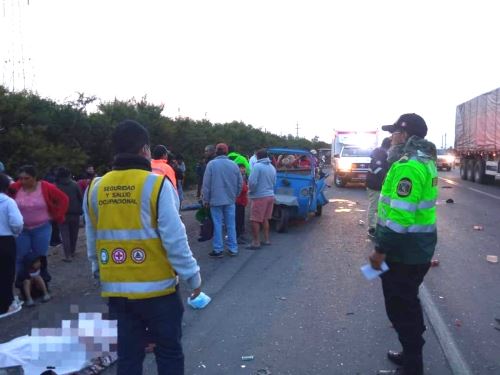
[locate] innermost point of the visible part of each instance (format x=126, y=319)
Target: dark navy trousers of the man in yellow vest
x=163, y=318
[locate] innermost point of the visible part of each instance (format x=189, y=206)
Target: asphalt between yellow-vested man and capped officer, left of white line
x=300, y=306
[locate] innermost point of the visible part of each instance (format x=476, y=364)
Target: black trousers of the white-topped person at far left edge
x=7, y=271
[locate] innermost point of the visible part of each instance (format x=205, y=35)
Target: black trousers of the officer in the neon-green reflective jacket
x=400, y=286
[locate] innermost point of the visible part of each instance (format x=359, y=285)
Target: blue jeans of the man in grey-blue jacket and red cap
x=224, y=215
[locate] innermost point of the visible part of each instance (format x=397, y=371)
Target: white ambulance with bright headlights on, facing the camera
x=351, y=152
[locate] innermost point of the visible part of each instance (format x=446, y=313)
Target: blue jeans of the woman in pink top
x=34, y=240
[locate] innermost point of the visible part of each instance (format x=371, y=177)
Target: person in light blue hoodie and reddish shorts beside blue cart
x=261, y=191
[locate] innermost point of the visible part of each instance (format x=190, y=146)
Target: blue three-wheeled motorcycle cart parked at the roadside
x=299, y=186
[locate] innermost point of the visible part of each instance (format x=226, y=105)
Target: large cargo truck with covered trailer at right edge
x=477, y=137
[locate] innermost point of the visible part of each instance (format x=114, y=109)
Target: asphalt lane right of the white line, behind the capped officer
x=466, y=286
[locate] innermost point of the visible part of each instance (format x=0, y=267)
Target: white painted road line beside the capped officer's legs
x=451, y=352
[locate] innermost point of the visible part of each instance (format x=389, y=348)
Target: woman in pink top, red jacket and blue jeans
x=39, y=202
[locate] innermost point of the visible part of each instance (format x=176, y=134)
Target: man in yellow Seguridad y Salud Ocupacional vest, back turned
x=137, y=245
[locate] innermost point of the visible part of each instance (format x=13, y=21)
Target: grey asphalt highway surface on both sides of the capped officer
x=301, y=306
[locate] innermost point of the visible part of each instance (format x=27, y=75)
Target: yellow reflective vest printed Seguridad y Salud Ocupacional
x=123, y=208
